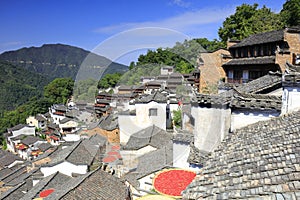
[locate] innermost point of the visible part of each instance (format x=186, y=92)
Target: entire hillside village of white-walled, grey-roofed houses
x=241, y=143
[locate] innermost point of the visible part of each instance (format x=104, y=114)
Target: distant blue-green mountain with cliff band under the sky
x=58, y=60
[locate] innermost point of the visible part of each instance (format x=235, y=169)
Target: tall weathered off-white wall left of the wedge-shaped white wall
x=211, y=126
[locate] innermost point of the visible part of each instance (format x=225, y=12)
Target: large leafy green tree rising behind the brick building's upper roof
x=248, y=20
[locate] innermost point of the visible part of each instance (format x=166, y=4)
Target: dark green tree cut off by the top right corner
x=290, y=13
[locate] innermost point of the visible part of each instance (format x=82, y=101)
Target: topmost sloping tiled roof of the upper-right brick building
x=261, y=38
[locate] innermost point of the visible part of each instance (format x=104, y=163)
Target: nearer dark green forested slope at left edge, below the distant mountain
x=17, y=85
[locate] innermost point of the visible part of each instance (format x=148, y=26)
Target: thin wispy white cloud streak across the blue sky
x=185, y=22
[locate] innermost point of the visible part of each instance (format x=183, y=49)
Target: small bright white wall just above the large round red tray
x=181, y=153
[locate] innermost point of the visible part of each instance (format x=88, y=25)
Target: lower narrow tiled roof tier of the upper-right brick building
x=251, y=61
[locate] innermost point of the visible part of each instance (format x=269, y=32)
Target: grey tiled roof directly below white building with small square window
x=152, y=136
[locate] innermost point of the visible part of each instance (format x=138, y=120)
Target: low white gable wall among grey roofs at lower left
x=64, y=168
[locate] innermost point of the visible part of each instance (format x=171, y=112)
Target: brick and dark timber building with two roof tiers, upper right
x=260, y=53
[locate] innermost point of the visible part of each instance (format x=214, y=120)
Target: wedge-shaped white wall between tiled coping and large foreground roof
x=240, y=119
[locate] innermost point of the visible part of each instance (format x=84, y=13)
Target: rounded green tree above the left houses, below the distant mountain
x=59, y=90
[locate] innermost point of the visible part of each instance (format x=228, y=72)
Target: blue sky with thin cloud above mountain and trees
x=113, y=28
